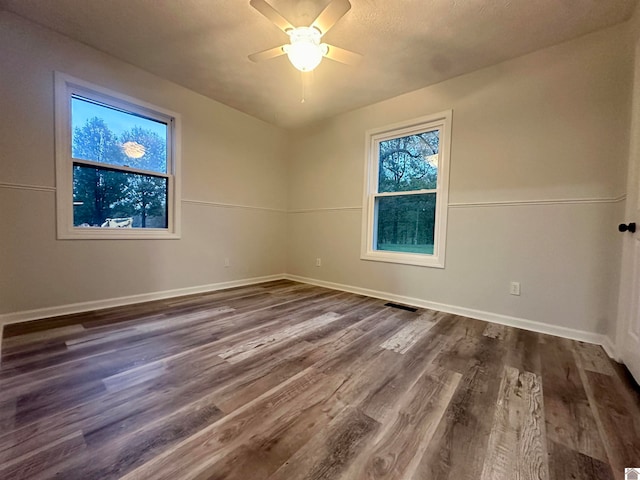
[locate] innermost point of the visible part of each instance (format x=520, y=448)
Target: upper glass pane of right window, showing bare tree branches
x=409, y=163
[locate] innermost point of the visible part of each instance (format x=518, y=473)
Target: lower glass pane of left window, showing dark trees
x=111, y=198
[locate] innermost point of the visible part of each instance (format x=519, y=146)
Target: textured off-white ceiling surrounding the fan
x=407, y=44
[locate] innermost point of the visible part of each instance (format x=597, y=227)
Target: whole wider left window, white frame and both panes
x=117, y=162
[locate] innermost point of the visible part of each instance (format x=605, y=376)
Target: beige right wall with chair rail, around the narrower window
x=550, y=126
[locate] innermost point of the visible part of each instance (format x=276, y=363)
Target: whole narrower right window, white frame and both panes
x=406, y=190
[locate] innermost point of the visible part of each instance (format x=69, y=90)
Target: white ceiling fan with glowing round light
x=305, y=51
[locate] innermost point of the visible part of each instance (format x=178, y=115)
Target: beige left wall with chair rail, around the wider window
x=218, y=165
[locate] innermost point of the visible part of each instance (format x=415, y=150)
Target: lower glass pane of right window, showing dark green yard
x=406, y=223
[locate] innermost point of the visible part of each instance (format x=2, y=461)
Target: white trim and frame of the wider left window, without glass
x=65, y=86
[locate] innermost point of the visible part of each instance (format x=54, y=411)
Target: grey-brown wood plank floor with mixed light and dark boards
x=289, y=381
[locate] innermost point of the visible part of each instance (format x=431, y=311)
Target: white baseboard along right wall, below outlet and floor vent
x=570, y=333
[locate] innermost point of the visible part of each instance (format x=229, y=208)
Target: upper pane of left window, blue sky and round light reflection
x=107, y=135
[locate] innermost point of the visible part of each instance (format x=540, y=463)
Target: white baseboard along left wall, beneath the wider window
x=28, y=315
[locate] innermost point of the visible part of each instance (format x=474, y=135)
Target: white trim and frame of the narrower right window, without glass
x=441, y=121
